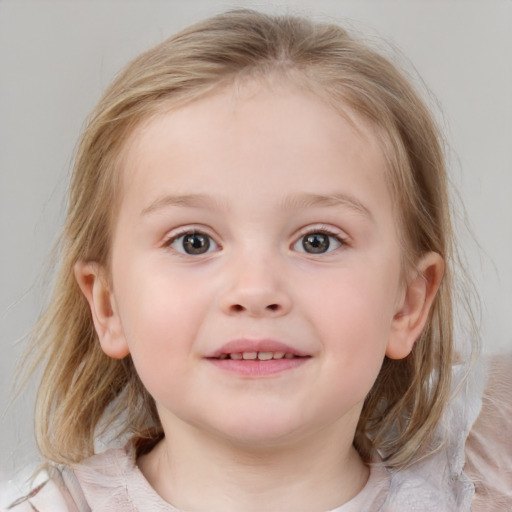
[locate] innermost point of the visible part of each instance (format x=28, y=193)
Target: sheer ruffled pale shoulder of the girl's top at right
x=473, y=469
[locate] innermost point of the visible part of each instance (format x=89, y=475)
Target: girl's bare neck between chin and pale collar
x=198, y=473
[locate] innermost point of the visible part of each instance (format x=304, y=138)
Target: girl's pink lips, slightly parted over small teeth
x=256, y=367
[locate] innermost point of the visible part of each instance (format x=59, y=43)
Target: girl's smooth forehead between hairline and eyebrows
x=280, y=134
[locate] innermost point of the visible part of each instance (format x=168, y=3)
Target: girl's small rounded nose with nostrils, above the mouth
x=256, y=289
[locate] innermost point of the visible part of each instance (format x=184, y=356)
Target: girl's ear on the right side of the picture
x=413, y=310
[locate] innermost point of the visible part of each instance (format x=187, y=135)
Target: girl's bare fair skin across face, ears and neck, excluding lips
x=256, y=171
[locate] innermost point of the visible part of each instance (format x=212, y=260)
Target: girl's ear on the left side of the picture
x=91, y=279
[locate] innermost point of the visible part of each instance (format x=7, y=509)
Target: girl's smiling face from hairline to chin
x=256, y=223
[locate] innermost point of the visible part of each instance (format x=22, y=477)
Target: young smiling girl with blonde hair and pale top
x=254, y=301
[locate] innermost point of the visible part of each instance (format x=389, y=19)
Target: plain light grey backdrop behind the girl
x=56, y=57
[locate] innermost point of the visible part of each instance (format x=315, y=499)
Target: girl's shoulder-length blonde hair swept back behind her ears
x=81, y=387
